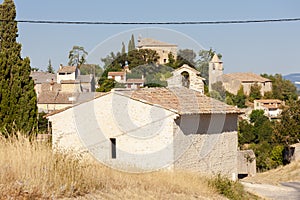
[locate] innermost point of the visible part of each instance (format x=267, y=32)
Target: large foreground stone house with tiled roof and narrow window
x=150, y=129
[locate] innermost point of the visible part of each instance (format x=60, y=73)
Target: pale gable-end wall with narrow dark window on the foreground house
x=143, y=133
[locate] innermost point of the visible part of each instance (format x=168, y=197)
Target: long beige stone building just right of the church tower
x=232, y=82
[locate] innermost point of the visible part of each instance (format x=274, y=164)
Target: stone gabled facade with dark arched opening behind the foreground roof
x=188, y=77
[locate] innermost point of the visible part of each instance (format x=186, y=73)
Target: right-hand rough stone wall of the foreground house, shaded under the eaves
x=210, y=147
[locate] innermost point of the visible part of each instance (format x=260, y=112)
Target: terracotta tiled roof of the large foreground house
x=180, y=100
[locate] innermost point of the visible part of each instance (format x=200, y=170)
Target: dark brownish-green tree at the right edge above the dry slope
x=287, y=130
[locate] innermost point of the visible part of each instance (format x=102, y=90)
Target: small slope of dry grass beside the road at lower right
x=286, y=173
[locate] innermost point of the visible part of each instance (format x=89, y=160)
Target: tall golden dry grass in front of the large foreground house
x=30, y=170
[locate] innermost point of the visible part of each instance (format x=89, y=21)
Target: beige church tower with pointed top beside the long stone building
x=215, y=70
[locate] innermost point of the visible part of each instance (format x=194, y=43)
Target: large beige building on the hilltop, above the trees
x=162, y=48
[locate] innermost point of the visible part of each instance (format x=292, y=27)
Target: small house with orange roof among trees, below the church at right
x=272, y=107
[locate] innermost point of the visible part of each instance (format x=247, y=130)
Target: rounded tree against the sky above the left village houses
x=77, y=56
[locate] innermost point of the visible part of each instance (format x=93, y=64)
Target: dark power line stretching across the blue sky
x=158, y=23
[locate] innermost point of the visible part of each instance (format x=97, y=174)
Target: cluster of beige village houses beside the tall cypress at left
x=60, y=90
